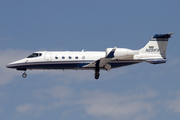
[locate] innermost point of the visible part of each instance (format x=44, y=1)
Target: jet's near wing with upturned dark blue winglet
x=103, y=62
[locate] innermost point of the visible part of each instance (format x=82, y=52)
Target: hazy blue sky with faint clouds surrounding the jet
x=137, y=92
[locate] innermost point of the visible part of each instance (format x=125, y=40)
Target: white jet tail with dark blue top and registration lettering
x=155, y=50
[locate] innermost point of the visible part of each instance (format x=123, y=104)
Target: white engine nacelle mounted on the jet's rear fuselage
x=121, y=53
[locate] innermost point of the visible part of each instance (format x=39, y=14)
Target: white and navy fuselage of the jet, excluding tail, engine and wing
x=66, y=60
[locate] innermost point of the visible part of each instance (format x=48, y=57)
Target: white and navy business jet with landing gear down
x=153, y=52
